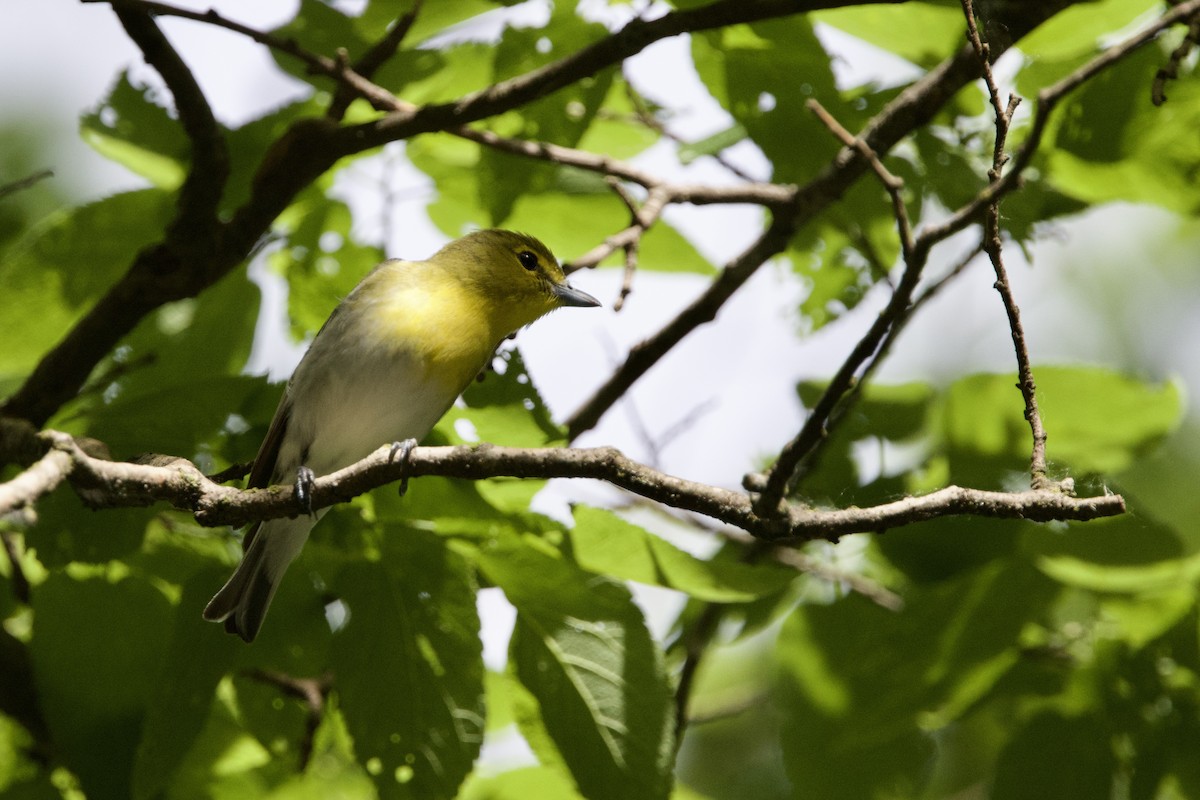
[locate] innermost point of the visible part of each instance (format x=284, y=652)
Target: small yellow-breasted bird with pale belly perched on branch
x=388, y=364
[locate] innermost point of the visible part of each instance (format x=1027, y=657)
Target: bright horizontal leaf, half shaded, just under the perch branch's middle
x=605, y=544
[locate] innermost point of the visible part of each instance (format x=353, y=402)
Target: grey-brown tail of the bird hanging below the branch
x=243, y=603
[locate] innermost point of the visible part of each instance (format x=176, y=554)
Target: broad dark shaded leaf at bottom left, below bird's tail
x=76, y=649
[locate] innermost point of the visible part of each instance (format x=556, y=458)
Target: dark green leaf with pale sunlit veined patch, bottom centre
x=583, y=649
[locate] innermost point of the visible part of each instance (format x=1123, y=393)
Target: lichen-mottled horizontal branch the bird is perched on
x=177, y=482
